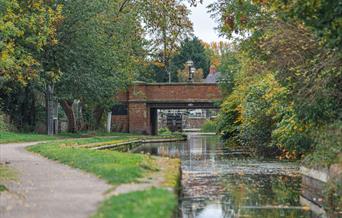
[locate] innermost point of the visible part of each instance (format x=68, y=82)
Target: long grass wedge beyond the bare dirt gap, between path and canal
x=114, y=167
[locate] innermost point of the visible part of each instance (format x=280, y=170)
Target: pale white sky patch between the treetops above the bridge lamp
x=203, y=24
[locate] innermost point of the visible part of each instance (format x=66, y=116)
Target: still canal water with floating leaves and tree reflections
x=217, y=182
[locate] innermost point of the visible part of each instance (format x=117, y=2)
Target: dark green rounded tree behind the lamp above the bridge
x=191, y=49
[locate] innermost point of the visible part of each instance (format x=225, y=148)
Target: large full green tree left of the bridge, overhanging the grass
x=100, y=49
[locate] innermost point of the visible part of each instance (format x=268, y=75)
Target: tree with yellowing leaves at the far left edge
x=27, y=28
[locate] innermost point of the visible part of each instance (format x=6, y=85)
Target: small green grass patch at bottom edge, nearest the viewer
x=152, y=203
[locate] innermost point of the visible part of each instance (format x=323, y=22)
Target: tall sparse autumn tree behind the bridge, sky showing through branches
x=167, y=25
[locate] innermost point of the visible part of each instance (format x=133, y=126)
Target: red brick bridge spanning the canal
x=137, y=112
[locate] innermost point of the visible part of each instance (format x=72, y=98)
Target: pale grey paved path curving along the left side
x=47, y=189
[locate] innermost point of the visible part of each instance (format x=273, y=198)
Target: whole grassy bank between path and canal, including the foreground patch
x=119, y=168
